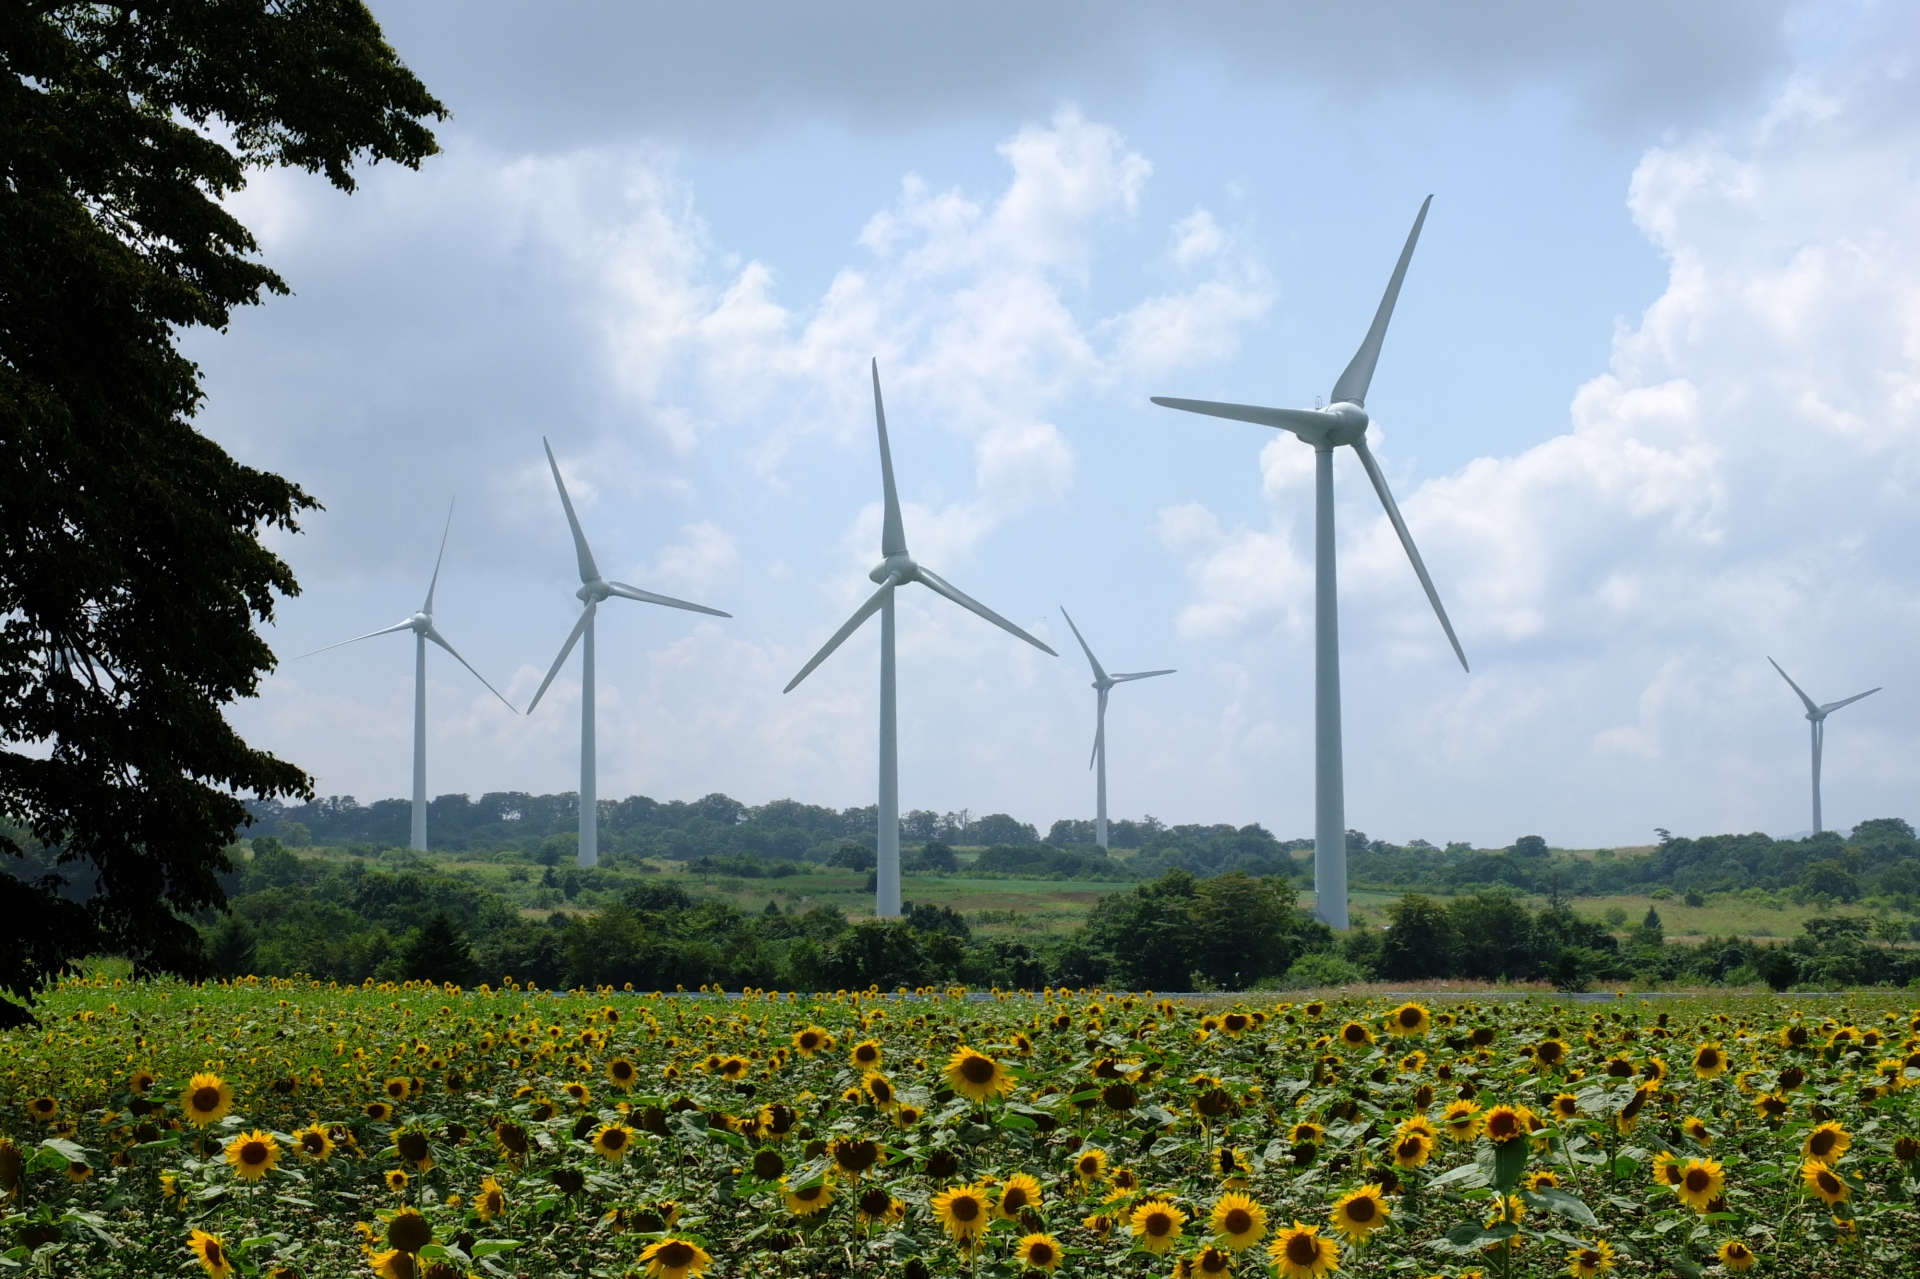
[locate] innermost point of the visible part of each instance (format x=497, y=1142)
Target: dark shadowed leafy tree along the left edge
x=132, y=567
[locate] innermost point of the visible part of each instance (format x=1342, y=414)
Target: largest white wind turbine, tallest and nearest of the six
x=1343, y=422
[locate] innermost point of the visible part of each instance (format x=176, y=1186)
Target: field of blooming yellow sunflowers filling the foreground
x=420, y=1132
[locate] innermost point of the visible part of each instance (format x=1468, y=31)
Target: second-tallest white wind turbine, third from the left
x=894, y=571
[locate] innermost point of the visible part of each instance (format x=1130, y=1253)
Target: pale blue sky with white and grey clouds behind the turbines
x=1650, y=404
